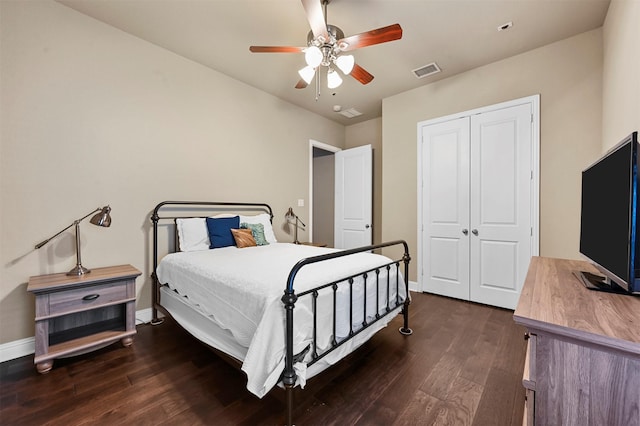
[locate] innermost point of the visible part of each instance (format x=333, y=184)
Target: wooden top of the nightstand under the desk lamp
x=61, y=280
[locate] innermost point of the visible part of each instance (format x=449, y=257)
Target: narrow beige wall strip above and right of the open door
x=370, y=133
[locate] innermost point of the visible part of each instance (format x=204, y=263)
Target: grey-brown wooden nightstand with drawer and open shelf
x=75, y=315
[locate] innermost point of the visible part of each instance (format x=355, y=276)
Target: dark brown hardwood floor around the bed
x=462, y=366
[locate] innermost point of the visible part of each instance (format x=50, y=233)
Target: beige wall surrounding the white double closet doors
x=568, y=77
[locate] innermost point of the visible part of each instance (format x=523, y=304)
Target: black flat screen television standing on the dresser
x=609, y=219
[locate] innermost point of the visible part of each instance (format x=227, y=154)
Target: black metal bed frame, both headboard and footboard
x=290, y=297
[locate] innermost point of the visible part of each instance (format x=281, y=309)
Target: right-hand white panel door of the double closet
x=501, y=223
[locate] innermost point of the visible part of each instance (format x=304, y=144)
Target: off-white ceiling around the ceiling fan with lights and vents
x=456, y=34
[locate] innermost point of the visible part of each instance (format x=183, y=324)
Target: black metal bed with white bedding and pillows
x=284, y=311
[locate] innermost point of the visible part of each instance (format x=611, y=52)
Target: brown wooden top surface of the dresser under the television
x=554, y=300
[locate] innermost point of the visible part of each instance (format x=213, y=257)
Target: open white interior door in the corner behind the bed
x=353, y=197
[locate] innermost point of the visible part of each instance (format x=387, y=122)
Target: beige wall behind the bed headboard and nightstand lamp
x=92, y=115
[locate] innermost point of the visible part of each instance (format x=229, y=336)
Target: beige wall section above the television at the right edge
x=621, y=73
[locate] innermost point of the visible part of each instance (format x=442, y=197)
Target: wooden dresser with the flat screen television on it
x=583, y=355
